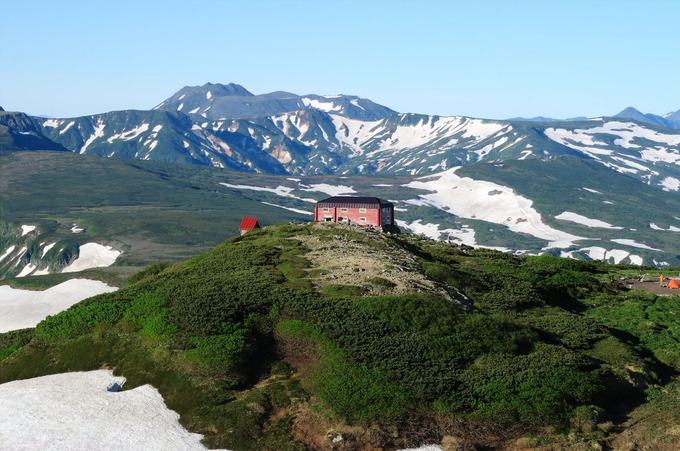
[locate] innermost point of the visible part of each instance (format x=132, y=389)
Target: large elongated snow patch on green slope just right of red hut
x=477, y=199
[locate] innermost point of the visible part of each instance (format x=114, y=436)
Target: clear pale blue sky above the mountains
x=480, y=58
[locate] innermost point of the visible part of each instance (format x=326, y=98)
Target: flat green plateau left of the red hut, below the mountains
x=154, y=212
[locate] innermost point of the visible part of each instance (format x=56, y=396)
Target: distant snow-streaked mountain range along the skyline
x=227, y=126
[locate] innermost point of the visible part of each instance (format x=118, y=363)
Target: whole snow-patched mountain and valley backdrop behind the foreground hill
x=604, y=189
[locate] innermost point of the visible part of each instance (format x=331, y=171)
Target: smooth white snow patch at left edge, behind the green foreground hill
x=26, y=308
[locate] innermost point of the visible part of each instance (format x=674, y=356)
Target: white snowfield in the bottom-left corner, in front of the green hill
x=75, y=411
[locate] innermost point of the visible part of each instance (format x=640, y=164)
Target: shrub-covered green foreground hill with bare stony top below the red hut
x=293, y=336
